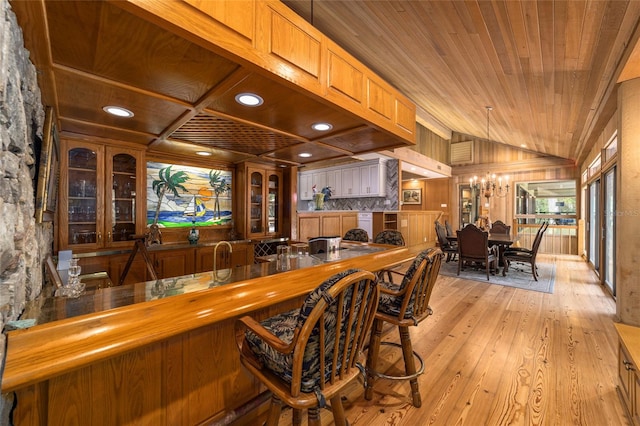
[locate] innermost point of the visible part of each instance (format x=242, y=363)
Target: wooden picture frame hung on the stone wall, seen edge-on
x=48, y=169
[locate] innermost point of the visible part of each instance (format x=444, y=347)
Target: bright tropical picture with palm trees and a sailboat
x=182, y=196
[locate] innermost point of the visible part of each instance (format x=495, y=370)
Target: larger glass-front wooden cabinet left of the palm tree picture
x=99, y=186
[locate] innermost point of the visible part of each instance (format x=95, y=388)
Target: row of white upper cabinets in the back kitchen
x=362, y=179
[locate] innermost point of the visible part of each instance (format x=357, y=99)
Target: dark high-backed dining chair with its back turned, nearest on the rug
x=473, y=246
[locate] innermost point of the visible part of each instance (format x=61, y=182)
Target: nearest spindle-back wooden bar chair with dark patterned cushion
x=306, y=356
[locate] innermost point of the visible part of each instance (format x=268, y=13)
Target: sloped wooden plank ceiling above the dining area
x=548, y=68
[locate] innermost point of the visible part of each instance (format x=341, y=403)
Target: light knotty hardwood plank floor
x=497, y=355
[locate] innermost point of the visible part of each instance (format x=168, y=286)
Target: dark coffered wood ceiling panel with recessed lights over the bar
x=93, y=53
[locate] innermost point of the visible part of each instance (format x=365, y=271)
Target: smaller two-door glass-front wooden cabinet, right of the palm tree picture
x=264, y=202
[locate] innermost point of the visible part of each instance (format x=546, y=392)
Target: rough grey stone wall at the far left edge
x=23, y=243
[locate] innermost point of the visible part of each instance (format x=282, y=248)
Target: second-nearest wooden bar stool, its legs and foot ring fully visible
x=404, y=305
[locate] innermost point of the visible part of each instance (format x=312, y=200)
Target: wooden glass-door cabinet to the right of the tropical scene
x=260, y=189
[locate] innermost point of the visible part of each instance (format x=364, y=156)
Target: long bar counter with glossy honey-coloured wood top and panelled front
x=158, y=352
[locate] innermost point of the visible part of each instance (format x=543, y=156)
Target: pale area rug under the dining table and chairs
x=518, y=276
